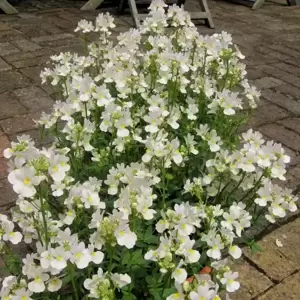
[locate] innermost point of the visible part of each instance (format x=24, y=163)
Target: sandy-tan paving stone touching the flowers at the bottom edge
x=252, y=281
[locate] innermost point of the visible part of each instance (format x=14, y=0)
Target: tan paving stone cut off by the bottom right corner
x=288, y=289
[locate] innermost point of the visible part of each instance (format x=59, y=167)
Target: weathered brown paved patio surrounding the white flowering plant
x=270, y=39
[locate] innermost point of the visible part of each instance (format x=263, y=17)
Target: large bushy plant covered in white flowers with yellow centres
x=148, y=184
